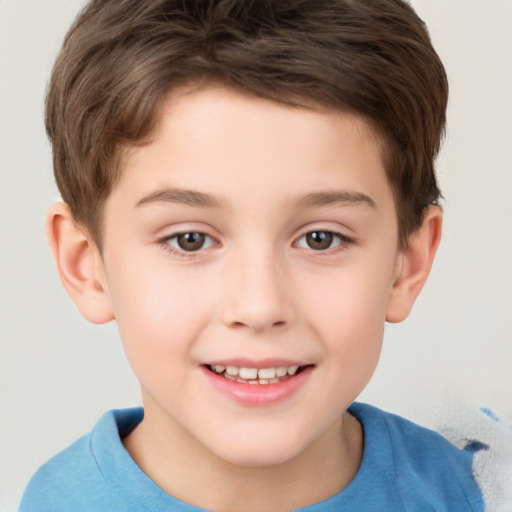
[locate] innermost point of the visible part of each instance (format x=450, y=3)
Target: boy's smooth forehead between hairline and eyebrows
x=223, y=142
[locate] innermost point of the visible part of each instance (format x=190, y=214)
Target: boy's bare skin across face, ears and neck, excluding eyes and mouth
x=255, y=177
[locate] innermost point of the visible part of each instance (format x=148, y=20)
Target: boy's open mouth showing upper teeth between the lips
x=272, y=375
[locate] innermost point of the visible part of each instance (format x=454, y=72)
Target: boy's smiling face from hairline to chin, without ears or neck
x=248, y=234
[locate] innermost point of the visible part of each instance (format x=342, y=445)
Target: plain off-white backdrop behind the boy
x=58, y=374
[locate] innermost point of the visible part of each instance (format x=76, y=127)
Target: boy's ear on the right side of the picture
x=414, y=264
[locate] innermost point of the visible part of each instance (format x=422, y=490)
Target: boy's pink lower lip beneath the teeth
x=258, y=394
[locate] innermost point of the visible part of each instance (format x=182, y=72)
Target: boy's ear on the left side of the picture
x=79, y=264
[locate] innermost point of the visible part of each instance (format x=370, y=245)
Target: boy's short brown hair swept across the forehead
x=121, y=58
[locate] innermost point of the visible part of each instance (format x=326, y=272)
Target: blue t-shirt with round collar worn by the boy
x=404, y=468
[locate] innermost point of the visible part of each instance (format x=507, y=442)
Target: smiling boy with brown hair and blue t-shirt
x=250, y=193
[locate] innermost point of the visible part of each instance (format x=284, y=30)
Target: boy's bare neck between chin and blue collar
x=192, y=474
